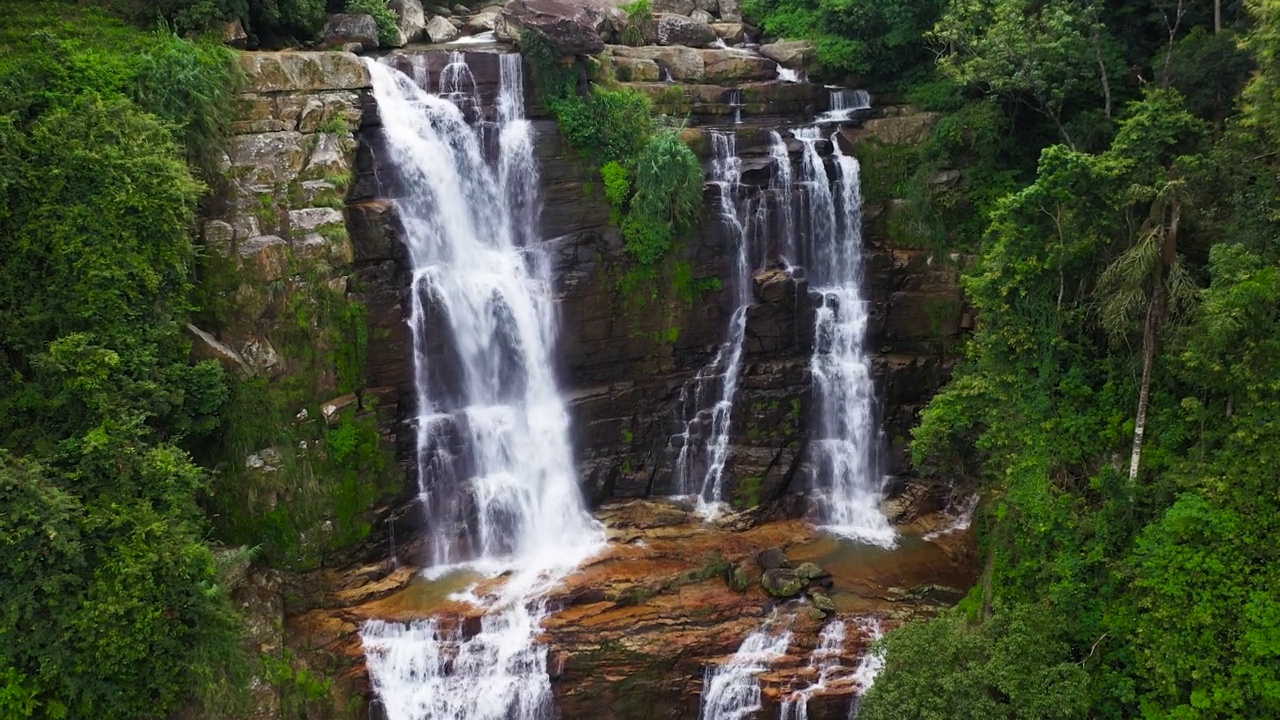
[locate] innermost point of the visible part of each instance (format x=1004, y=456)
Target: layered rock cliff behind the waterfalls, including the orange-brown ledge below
x=303, y=224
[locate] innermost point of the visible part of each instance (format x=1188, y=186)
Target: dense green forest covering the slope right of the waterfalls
x=1118, y=405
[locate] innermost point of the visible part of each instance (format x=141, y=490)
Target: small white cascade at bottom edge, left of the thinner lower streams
x=732, y=691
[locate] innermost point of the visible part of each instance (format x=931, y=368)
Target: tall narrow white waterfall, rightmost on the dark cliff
x=845, y=439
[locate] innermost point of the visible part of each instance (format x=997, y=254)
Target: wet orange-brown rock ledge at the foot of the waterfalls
x=637, y=627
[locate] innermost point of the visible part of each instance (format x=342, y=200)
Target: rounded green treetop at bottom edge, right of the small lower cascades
x=1011, y=667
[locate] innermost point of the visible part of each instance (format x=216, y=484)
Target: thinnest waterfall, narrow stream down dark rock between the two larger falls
x=737, y=218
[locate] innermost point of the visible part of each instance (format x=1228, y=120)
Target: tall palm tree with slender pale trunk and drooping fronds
x=1148, y=281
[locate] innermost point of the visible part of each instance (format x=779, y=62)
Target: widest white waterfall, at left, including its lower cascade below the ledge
x=495, y=466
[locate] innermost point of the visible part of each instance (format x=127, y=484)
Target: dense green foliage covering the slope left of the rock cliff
x=113, y=605
